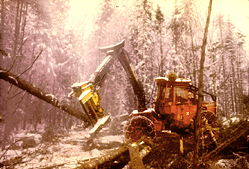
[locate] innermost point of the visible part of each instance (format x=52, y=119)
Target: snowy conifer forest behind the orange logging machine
x=54, y=43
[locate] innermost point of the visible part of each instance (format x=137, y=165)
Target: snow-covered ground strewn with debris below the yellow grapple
x=65, y=150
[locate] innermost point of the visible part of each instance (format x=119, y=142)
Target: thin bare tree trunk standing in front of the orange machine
x=200, y=85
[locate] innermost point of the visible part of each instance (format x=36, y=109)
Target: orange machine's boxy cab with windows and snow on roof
x=175, y=103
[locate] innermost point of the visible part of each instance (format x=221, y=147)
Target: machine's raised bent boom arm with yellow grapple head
x=87, y=92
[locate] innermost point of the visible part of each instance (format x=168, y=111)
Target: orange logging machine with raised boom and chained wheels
x=175, y=104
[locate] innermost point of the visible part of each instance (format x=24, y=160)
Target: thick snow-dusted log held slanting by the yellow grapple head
x=49, y=98
